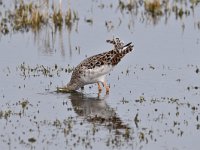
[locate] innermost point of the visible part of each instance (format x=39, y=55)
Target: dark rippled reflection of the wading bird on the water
x=96, y=110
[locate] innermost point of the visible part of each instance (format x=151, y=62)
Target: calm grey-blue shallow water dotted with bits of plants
x=154, y=91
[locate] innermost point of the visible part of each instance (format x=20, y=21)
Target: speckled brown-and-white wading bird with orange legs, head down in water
x=93, y=69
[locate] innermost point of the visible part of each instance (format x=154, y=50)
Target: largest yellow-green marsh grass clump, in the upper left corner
x=32, y=15
